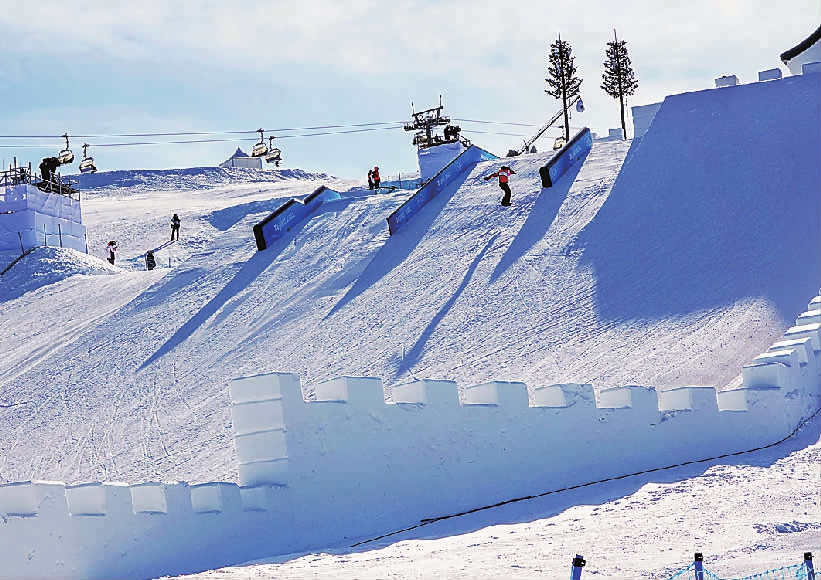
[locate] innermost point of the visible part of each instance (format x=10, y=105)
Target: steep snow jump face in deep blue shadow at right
x=718, y=202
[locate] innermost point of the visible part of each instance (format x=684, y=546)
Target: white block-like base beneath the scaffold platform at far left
x=30, y=217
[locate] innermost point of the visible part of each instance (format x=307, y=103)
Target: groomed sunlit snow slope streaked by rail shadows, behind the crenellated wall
x=477, y=292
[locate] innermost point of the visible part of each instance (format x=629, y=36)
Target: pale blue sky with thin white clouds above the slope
x=103, y=68
